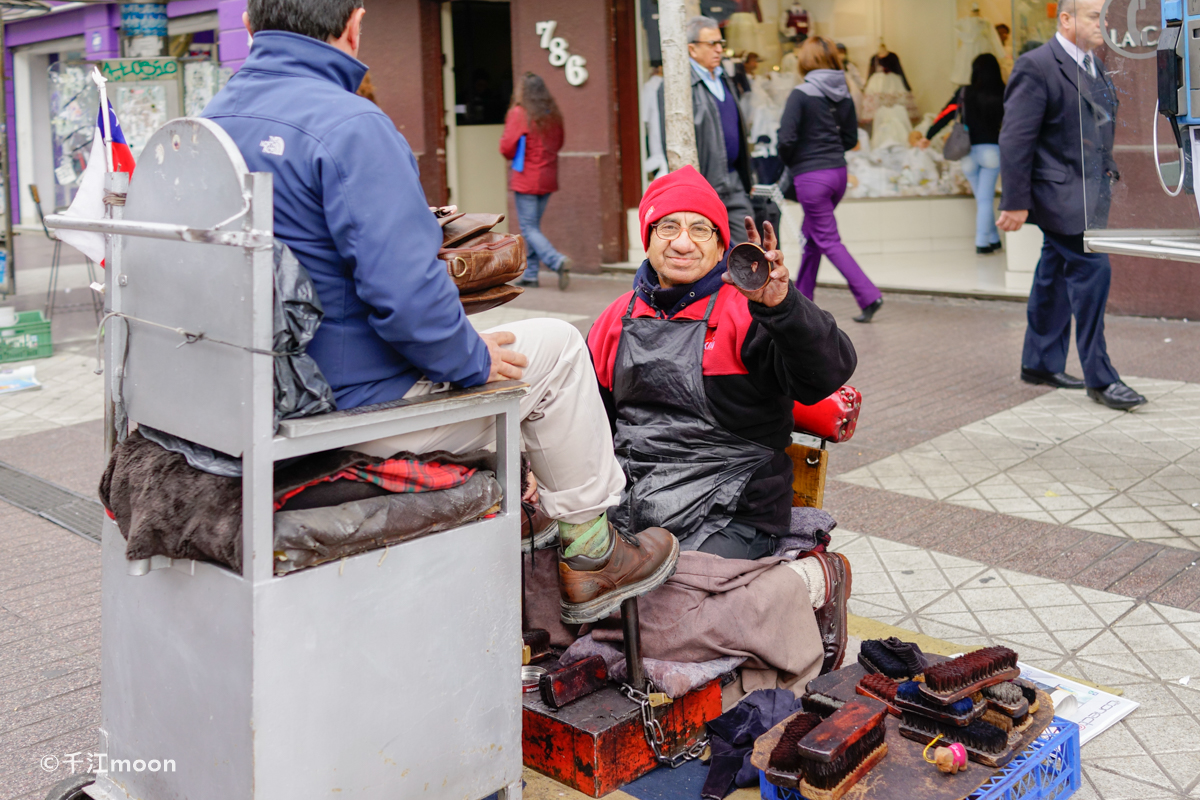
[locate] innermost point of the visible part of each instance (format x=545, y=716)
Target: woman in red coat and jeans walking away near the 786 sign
x=536, y=117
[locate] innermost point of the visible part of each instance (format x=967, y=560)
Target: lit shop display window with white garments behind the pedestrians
x=905, y=62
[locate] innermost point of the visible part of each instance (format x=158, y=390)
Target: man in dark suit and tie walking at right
x=1058, y=170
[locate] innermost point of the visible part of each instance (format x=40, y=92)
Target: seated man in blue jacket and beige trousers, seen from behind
x=350, y=204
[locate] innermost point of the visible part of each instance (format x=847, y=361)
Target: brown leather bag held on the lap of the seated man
x=481, y=260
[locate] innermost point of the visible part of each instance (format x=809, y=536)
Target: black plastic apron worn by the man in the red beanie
x=683, y=471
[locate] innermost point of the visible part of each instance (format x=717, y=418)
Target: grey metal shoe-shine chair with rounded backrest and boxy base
x=375, y=678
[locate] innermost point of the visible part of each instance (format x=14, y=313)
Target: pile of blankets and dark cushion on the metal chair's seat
x=165, y=507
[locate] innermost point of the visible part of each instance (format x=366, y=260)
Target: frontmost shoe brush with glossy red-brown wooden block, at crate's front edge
x=843, y=749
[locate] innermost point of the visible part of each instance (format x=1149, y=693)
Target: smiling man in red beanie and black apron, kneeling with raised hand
x=699, y=378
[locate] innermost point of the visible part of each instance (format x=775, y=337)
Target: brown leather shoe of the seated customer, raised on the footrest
x=593, y=588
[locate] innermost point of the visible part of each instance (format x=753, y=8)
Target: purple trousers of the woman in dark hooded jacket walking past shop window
x=820, y=193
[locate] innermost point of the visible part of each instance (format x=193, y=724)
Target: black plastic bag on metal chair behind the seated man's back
x=301, y=389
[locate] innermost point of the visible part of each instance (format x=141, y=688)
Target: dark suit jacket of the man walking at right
x=1057, y=143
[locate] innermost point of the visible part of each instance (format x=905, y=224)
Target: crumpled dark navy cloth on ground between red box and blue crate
x=733, y=736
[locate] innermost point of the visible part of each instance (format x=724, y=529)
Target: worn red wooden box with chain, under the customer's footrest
x=597, y=744
